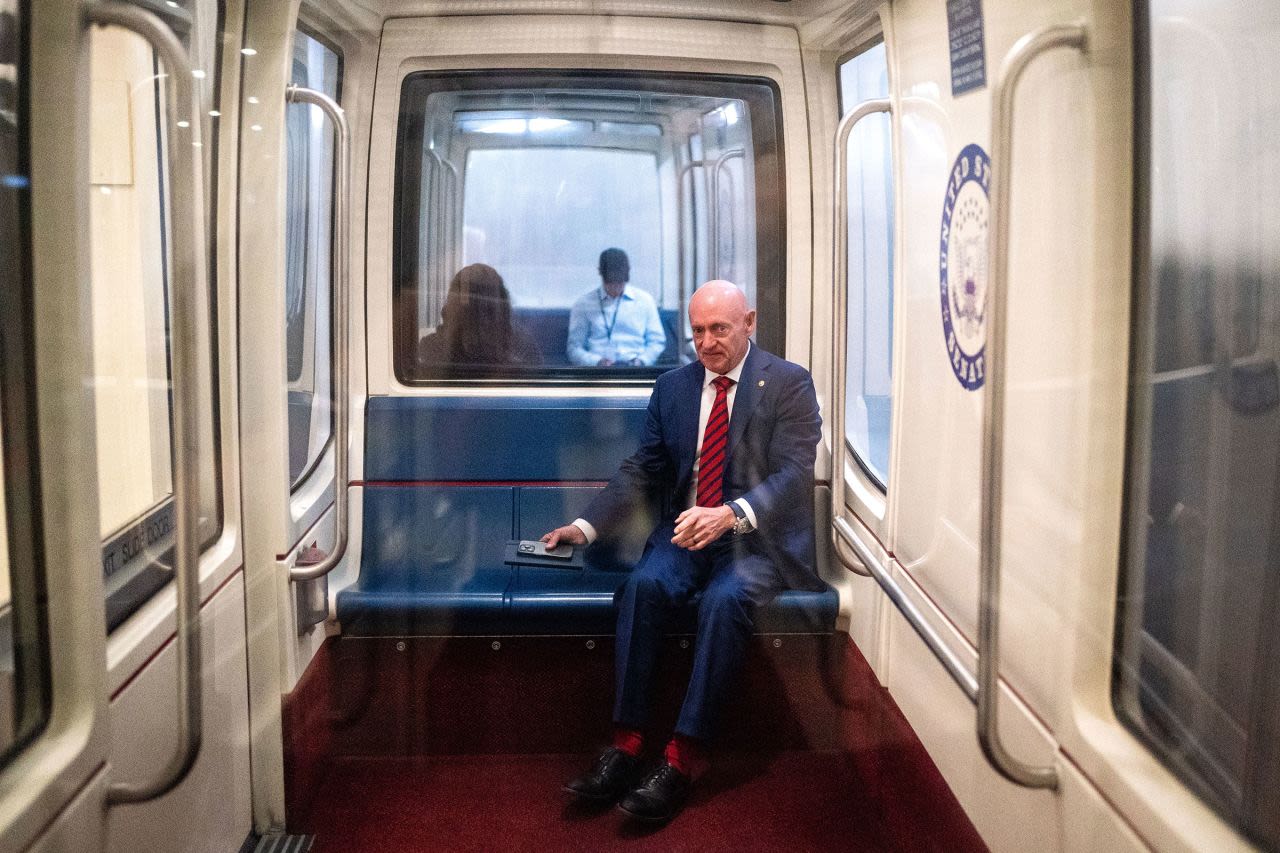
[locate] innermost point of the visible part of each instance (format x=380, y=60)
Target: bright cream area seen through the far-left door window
x=131, y=357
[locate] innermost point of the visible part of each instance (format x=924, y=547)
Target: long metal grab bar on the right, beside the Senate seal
x=994, y=405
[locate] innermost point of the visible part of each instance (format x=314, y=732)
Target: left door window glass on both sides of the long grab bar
x=131, y=154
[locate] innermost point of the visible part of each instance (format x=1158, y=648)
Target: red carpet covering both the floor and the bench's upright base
x=463, y=745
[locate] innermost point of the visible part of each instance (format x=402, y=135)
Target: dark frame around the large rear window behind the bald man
x=771, y=215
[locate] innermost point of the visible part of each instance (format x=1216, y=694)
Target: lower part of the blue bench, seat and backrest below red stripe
x=433, y=565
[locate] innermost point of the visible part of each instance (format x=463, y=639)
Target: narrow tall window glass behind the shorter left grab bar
x=309, y=257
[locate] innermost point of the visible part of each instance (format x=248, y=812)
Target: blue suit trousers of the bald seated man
x=730, y=582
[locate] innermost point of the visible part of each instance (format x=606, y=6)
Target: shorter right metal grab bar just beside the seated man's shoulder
x=840, y=346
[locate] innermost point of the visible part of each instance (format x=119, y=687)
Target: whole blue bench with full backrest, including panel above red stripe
x=451, y=481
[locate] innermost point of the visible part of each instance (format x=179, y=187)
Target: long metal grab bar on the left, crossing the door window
x=189, y=248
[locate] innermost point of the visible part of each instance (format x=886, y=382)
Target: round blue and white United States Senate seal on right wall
x=963, y=266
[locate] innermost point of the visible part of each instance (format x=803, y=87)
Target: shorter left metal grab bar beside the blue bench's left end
x=341, y=299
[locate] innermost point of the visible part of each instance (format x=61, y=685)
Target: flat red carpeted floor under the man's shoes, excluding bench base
x=794, y=801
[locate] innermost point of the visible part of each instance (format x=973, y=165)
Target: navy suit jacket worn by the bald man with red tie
x=774, y=434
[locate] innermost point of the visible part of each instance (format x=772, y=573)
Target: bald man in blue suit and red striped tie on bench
x=732, y=441
